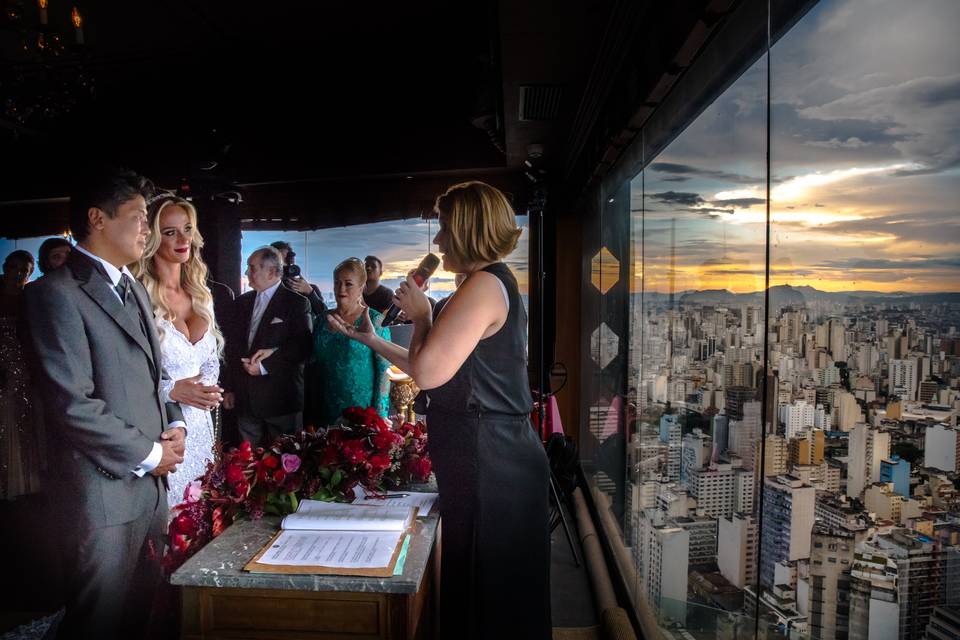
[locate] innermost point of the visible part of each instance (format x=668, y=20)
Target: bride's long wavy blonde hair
x=193, y=273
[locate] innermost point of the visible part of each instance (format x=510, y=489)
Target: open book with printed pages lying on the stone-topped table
x=323, y=537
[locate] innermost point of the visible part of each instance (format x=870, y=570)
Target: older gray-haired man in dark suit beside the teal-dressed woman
x=270, y=342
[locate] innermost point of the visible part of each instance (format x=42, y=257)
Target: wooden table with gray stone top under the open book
x=221, y=601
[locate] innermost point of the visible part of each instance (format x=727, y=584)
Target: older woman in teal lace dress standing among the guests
x=353, y=374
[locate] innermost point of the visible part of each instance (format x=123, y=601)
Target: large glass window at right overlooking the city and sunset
x=792, y=336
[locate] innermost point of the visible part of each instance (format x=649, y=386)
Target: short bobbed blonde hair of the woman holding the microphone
x=481, y=225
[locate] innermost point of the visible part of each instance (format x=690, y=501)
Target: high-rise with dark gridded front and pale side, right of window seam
x=788, y=516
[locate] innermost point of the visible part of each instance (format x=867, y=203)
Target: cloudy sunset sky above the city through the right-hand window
x=865, y=159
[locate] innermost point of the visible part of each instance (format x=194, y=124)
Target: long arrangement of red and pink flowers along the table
x=363, y=449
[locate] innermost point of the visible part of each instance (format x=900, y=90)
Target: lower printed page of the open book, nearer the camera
x=339, y=549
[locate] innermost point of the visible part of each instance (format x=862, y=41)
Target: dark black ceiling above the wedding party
x=224, y=94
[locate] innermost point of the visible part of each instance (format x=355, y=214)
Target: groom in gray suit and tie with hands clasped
x=113, y=438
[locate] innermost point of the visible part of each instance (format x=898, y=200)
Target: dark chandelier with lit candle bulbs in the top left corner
x=45, y=63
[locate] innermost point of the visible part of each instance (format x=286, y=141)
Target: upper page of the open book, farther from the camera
x=329, y=516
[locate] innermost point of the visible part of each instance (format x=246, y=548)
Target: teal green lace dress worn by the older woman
x=352, y=374
